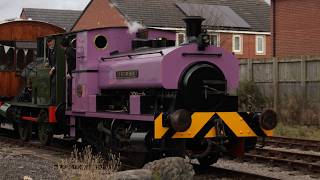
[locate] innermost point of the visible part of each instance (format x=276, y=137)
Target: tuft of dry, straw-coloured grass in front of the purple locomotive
x=87, y=165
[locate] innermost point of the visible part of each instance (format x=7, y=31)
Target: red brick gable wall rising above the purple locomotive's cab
x=99, y=13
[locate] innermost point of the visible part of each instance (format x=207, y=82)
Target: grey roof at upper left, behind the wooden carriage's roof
x=62, y=18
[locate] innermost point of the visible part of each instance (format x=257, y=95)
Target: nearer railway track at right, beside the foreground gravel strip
x=304, y=162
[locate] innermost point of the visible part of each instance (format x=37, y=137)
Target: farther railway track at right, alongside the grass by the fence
x=293, y=143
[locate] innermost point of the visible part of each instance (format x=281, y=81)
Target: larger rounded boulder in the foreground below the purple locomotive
x=174, y=168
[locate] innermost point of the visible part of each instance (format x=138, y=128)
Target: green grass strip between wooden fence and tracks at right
x=297, y=131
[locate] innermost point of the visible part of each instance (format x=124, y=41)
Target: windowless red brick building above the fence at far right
x=295, y=27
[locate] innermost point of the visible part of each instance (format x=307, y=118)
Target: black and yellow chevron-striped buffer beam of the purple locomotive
x=203, y=126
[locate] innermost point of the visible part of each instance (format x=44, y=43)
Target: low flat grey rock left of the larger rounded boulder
x=138, y=174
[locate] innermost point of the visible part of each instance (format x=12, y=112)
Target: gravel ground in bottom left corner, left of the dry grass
x=15, y=165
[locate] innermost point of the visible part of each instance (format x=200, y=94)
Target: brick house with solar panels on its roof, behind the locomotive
x=242, y=27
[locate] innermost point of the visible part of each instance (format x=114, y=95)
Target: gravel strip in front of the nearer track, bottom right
x=264, y=169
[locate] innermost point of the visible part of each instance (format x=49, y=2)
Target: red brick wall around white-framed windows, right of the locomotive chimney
x=249, y=46
